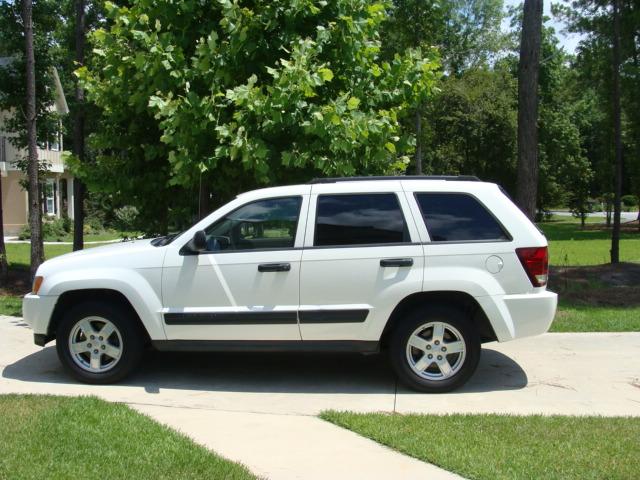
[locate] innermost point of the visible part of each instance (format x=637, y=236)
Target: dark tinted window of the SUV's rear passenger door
x=359, y=220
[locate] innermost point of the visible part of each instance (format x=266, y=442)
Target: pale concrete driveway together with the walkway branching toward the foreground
x=258, y=409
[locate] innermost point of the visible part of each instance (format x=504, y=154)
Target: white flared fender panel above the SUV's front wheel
x=140, y=287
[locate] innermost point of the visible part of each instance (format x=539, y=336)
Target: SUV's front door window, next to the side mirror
x=270, y=223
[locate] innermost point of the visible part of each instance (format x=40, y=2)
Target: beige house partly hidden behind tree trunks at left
x=57, y=185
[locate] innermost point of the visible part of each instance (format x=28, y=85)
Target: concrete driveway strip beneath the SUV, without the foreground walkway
x=573, y=374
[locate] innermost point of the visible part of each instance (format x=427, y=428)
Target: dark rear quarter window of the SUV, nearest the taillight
x=457, y=217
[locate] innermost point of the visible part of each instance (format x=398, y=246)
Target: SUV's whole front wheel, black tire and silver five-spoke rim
x=98, y=342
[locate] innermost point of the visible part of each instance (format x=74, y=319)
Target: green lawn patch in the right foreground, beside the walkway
x=496, y=447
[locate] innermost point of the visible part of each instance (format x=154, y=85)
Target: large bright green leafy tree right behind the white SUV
x=240, y=96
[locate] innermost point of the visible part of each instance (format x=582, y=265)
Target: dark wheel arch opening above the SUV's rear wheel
x=451, y=298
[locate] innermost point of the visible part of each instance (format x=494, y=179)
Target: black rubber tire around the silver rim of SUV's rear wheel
x=415, y=319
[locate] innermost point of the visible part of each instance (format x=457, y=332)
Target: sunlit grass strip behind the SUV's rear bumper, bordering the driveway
x=587, y=318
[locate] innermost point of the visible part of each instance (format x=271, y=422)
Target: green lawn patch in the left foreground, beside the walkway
x=84, y=437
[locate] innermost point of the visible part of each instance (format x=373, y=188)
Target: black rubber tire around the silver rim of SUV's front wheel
x=132, y=341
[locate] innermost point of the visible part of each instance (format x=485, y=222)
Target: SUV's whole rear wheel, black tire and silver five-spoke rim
x=435, y=349
